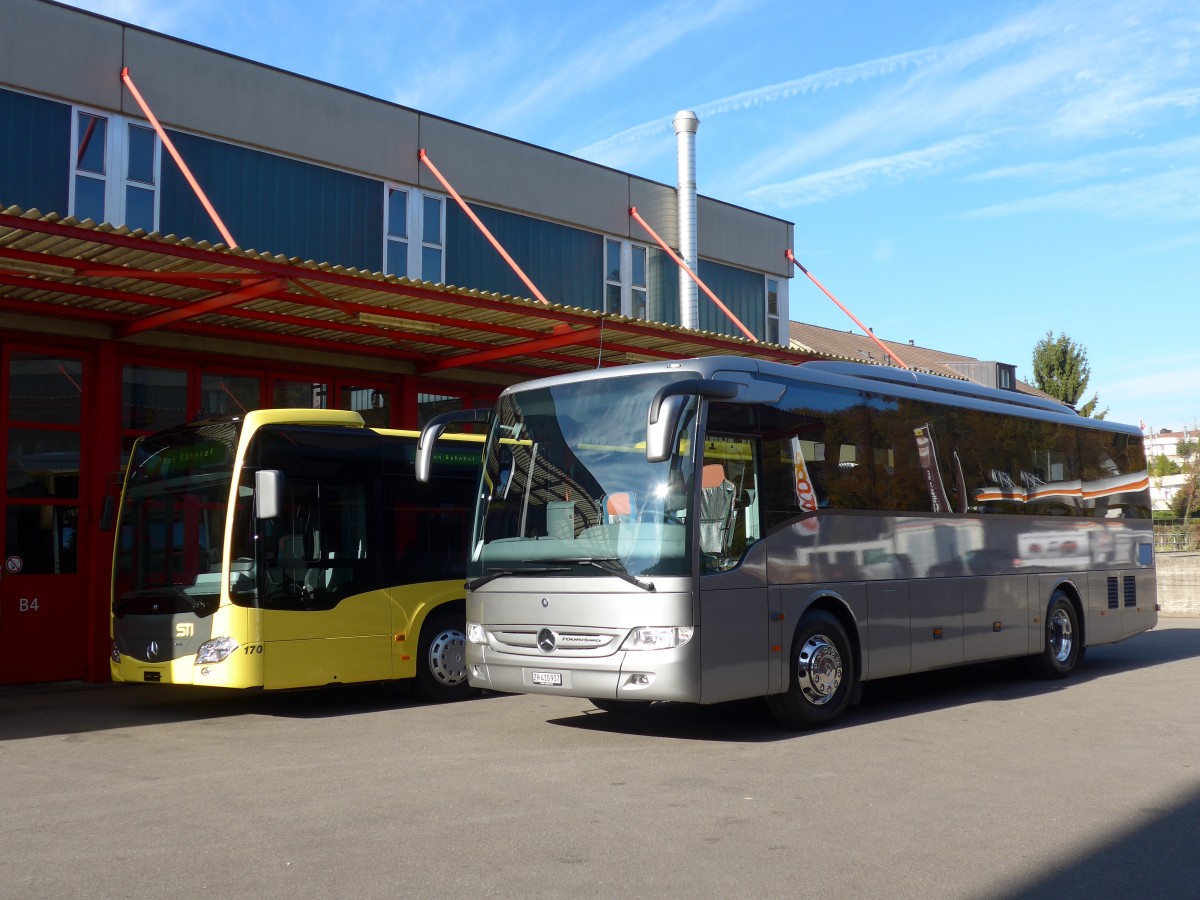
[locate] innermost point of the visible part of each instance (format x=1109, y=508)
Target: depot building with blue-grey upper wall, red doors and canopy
x=188, y=235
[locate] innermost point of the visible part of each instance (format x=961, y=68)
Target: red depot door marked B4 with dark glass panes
x=44, y=610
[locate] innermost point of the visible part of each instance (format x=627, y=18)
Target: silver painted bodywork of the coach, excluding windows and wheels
x=916, y=592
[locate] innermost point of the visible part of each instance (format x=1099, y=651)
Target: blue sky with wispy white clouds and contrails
x=965, y=176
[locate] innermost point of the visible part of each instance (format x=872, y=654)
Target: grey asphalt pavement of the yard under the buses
x=974, y=783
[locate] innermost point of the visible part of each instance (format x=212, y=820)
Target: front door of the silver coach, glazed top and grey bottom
x=734, y=623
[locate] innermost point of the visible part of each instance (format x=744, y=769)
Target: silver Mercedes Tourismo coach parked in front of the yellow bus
x=723, y=529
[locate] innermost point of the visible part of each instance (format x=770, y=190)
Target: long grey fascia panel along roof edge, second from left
x=263, y=107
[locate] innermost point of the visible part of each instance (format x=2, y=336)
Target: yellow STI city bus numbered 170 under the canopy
x=292, y=549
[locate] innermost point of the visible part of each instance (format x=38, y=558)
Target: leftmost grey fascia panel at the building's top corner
x=56, y=51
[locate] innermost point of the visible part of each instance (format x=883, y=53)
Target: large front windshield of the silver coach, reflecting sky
x=567, y=488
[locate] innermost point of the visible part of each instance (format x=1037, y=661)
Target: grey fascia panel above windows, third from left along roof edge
x=501, y=172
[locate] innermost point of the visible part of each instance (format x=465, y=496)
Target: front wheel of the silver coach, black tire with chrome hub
x=823, y=675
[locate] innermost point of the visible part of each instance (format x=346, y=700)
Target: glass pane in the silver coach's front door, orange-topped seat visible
x=730, y=512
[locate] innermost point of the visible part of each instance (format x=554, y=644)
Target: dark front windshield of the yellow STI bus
x=173, y=519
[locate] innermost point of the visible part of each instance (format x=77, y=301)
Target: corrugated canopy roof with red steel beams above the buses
x=136, y=283
